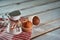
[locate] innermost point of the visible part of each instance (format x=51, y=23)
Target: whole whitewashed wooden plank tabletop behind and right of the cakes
x=47, y=10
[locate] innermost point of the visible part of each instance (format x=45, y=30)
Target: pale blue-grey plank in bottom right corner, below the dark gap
x=55, y=35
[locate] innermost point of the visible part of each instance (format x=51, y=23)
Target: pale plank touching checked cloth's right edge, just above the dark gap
x=41, y=29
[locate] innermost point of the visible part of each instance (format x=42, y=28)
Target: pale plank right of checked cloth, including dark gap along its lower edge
x=40, y=30
